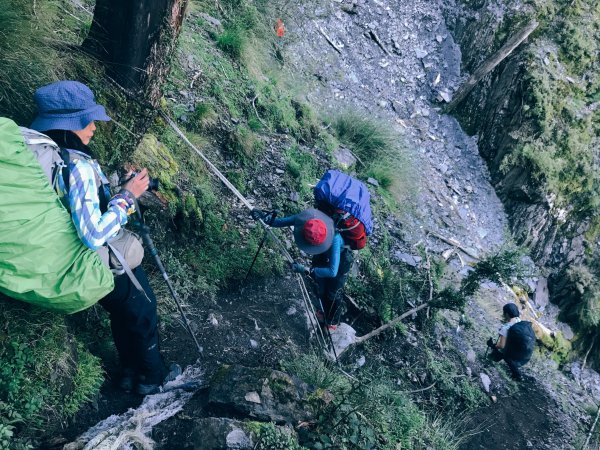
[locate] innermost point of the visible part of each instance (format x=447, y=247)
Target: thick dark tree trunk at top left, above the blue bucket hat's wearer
x=134, y=39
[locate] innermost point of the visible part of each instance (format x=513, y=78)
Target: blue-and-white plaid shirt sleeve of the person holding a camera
x=93, y=227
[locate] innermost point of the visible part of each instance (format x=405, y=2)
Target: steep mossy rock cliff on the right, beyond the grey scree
x=536, y=118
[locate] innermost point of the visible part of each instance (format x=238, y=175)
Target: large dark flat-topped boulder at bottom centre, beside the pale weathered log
x=261, y=394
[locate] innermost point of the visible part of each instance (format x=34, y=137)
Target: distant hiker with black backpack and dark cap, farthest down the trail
x=516, y=341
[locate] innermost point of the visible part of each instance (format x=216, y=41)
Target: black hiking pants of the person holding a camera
x=134, y=324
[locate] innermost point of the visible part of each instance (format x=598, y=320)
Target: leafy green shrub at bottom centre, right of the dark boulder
x=367, y=412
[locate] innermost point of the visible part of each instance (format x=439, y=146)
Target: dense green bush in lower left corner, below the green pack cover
x=48, y=374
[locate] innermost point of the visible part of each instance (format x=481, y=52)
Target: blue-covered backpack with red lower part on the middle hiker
x=347, y=201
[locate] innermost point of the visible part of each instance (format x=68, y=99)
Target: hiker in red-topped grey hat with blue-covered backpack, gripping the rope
x=330, y=233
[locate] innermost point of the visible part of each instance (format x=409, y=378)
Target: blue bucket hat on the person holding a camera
x=66, y=105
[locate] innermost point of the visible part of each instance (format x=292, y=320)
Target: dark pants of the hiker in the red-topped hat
x=330, y=290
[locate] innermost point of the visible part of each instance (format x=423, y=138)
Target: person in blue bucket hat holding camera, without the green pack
x=66, y=113
